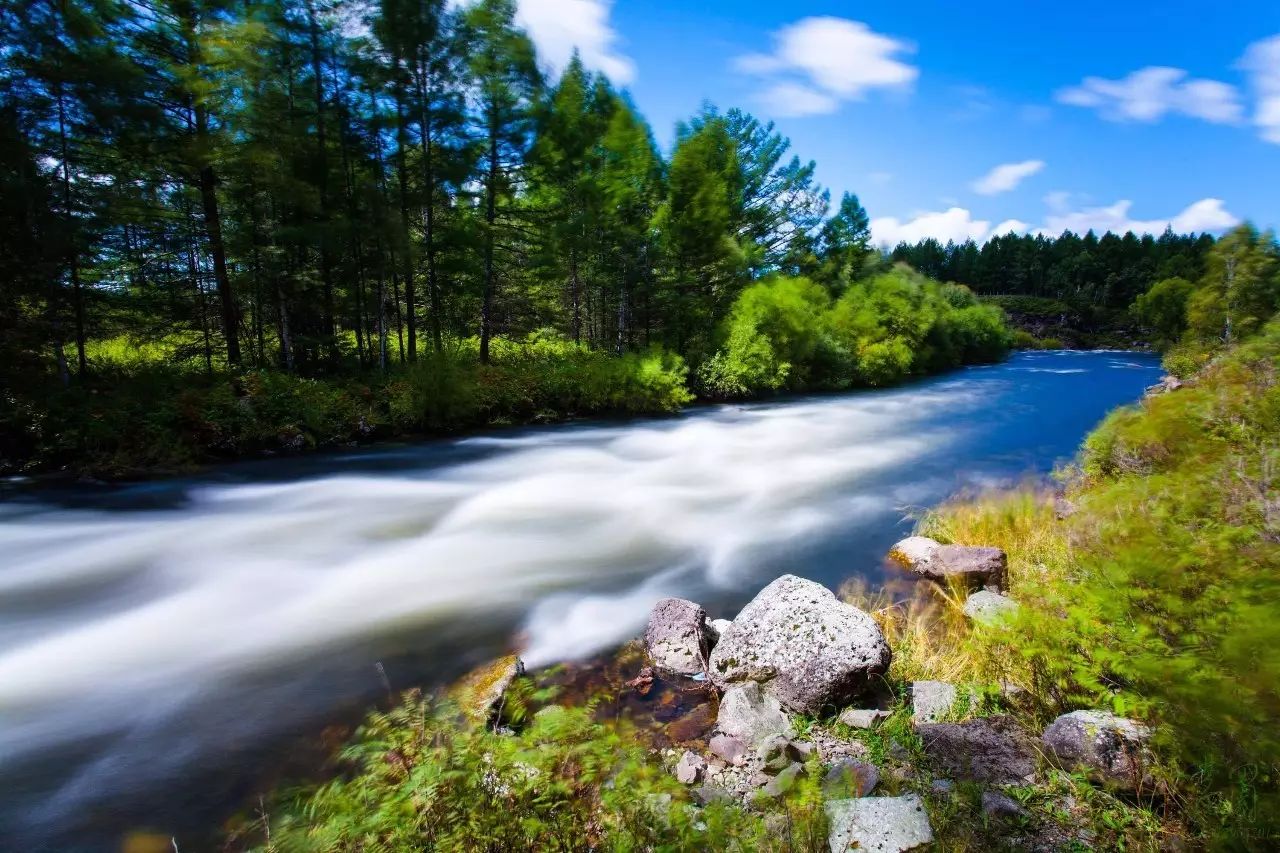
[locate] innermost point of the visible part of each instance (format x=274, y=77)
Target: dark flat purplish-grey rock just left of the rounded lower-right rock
x=993, y=750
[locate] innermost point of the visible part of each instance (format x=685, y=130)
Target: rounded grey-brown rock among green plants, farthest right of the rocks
x=1113, y=750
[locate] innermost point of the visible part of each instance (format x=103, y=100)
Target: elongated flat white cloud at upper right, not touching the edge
x=1154, y=93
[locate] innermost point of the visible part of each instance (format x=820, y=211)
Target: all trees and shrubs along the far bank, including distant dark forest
x=394, y=221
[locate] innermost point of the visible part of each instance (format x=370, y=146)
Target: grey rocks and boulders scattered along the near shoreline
x=796, y=686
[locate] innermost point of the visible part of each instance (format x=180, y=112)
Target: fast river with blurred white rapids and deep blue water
x=163, y=646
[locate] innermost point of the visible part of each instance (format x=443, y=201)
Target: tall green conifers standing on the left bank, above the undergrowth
x=317, y=186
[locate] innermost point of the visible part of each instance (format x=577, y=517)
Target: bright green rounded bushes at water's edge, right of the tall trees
x=787, y=334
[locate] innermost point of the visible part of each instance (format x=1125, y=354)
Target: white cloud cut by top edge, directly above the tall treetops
x=560, y=26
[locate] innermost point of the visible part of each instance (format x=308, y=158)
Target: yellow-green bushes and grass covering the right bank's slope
x=1156, y=599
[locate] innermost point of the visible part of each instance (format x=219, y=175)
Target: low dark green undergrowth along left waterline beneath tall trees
x=149, y=417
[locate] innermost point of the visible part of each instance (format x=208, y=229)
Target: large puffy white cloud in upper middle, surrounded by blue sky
x=817, y=63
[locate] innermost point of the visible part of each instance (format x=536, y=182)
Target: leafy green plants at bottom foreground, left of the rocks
x=565, y=782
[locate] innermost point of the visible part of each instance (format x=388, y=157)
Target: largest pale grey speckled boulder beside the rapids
x=811, y=649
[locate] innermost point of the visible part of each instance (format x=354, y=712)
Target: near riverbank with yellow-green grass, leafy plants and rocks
x=1144, y=609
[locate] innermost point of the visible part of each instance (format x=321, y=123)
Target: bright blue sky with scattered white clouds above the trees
x=1103, y=115
